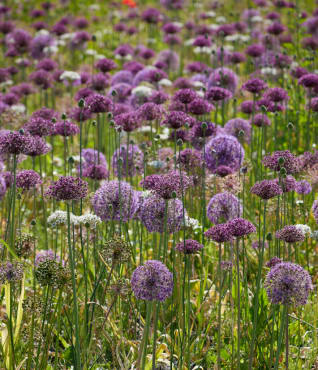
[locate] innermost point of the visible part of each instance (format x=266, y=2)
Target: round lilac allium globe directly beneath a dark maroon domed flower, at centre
x=153, y=214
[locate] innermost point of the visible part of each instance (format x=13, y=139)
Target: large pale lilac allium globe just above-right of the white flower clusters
x=115, y=200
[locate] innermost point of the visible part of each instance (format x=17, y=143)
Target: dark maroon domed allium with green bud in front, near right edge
x=282, y=159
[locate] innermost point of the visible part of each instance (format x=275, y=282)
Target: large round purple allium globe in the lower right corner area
x=288, y=283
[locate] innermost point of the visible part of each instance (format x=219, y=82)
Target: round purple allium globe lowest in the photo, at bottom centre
x=152, y=281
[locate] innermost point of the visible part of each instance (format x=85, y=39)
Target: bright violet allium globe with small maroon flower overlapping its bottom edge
x=224, y=150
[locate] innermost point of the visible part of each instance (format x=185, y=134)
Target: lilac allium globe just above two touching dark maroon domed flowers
x=223, y=207
